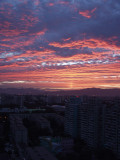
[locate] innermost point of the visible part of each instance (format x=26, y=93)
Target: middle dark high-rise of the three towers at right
x=90, y=112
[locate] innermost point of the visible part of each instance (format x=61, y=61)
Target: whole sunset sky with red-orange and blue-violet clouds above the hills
x=59, y=44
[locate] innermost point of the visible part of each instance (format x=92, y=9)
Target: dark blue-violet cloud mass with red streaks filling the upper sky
x=29, y=25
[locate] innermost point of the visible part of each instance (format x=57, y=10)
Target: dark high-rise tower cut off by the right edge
x=112, y=125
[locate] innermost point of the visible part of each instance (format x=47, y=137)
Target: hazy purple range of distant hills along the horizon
x=88, y=91
